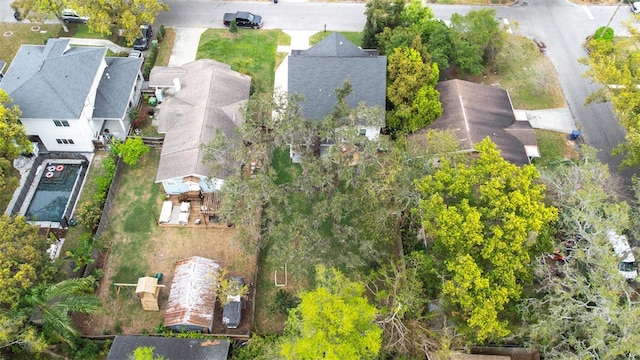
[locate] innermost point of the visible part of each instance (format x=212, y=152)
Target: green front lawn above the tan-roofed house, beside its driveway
x=249, y=52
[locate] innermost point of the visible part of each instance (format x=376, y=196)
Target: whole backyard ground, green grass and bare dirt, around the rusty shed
x=137, y=247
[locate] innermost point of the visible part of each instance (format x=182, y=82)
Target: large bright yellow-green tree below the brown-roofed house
x=481, y=222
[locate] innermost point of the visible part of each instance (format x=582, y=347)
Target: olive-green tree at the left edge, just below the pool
x=24, y=262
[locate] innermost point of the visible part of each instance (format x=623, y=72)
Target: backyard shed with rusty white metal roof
x=192, y=297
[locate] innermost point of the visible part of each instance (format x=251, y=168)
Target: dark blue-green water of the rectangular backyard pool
x=53, y=192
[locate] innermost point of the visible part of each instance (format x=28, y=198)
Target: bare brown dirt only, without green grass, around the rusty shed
x=123, y=311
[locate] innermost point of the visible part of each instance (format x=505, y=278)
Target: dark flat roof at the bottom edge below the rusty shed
x=123, y=347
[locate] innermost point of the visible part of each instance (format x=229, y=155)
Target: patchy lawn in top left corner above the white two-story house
x=23, y=34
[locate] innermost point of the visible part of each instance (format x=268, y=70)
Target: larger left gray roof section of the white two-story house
x=54, y=80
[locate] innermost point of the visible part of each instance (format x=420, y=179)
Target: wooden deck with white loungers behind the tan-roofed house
x=204, y=209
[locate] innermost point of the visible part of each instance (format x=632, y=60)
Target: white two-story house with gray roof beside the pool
x=69, y=96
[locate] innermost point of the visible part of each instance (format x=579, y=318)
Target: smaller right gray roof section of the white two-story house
x=118, y=79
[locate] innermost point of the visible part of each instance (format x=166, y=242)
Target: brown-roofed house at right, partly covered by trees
x=475, y=111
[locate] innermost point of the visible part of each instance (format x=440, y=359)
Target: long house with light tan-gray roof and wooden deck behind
x=198, y=100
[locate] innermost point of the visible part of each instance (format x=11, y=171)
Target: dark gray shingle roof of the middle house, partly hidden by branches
x=318, y=71
